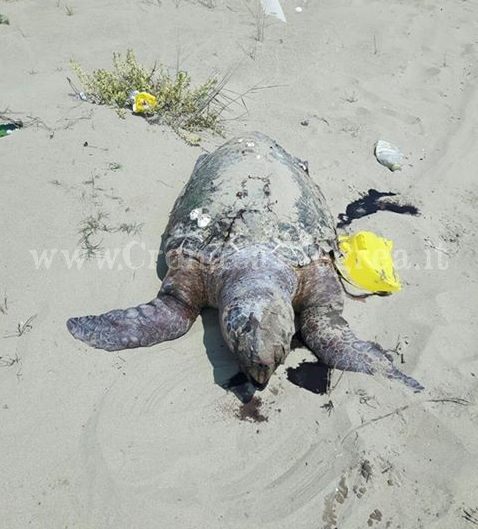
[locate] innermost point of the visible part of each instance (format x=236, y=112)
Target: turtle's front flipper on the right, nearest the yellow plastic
x=330, y=338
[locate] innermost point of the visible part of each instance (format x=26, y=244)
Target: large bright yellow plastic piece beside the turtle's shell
x=367, y=262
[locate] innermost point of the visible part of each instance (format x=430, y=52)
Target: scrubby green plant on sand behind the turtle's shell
x=179, y=104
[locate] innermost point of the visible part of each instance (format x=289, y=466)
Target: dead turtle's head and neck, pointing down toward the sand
x=257, y=318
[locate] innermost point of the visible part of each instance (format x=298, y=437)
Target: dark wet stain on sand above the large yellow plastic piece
x=372, y=202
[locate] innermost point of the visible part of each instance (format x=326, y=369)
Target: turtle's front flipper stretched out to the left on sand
x=164, y=318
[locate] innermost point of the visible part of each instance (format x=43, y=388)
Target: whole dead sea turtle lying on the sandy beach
x=251, y=234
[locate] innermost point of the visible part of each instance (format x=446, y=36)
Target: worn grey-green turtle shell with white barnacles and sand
x=250, y=191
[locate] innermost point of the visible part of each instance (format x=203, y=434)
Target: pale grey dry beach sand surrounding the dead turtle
x=148, y=439
